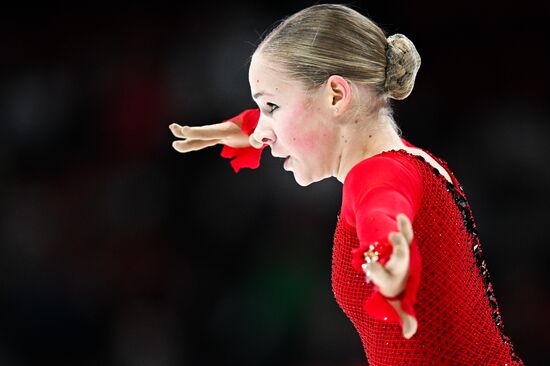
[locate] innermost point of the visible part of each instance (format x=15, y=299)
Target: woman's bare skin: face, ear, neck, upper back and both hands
x=319, y=136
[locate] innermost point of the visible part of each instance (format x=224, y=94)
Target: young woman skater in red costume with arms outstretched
x=408, y=269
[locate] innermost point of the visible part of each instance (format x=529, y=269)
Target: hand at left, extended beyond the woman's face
x=197, y=138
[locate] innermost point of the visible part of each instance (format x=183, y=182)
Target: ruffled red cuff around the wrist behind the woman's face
x=244, y=157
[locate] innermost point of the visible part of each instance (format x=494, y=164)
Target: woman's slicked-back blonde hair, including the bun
x=329, y=39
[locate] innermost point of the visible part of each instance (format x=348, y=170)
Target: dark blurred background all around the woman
x=116, y=250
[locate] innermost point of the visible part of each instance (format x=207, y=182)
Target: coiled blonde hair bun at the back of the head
x=403, y=62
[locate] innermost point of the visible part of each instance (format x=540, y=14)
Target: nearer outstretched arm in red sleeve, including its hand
x=382, y=196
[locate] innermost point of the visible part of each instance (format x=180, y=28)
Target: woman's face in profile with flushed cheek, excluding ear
x=296, y=124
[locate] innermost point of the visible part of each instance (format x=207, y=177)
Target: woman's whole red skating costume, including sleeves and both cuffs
x=448, y=288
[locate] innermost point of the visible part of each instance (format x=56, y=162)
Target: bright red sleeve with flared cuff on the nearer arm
x=375, y=192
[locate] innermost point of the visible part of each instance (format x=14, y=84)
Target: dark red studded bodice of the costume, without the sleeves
x=452, y=291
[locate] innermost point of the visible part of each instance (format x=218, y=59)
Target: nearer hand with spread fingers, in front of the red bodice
x=392, y=278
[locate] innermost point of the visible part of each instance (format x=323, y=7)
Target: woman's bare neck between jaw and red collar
x=360, y=141
